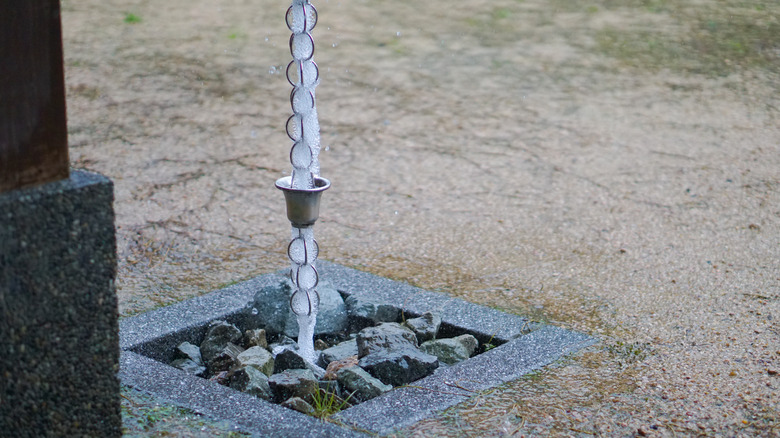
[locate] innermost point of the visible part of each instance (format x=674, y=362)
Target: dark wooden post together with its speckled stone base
x=59, y=337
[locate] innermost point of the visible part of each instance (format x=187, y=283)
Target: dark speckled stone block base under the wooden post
x=59, y=353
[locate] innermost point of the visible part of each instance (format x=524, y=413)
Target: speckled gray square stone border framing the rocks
x=149, y=339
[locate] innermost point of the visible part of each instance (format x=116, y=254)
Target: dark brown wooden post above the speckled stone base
x=33, y=130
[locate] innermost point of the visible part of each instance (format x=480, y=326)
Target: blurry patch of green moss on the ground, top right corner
x=709, y=40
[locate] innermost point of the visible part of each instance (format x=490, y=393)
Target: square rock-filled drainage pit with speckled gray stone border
x=389, y=354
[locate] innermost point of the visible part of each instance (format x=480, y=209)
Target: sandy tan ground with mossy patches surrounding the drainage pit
x=609, y=166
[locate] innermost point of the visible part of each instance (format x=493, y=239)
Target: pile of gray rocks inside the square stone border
x=379, y=354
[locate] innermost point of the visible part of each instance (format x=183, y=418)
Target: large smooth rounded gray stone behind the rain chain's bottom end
x=273, y=309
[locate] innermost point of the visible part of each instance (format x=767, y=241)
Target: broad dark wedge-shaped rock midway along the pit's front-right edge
x=399, y=367
